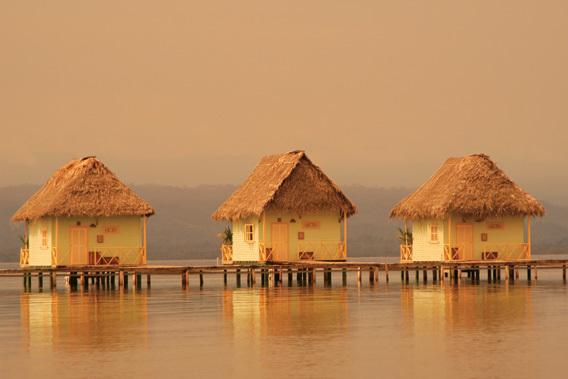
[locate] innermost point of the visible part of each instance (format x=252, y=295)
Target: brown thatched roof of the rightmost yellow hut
x=472, y=187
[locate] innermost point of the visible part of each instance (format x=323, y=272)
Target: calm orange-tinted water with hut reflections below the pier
x=482, y=330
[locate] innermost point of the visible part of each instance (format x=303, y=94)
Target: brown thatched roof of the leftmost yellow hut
x=83, y=188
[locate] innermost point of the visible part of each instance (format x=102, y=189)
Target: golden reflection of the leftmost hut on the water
x=93, y=319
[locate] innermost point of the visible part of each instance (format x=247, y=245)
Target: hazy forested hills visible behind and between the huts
x=182, y=227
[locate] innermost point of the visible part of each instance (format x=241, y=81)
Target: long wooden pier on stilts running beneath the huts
x=304, y=272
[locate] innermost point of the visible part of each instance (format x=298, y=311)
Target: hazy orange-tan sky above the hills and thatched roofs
x=195, y=92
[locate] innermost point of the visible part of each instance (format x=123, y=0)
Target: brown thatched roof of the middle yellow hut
x=286, y=182
